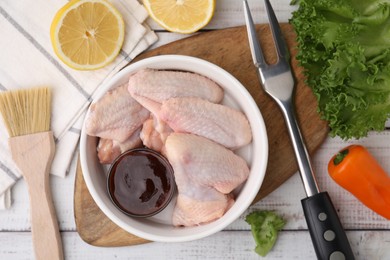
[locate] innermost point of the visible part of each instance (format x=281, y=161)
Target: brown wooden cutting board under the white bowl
x=229, y=49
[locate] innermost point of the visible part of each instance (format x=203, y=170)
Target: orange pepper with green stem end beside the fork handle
x=357, y=171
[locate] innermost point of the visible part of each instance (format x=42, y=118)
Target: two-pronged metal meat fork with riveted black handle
x=328, y=236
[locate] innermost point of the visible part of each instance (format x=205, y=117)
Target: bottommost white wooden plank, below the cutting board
x=227, y=245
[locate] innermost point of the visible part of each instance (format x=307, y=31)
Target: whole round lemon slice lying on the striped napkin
x=87, y=34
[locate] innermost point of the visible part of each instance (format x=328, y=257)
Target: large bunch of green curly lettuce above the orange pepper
x=344, y=48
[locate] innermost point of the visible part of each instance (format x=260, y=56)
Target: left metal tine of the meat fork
x=257, y=53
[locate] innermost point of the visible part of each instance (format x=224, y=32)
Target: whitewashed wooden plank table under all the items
x=369, y=234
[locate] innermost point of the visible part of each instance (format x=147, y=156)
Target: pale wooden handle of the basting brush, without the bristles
x=33, y=154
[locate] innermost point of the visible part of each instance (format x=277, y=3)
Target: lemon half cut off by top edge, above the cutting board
x=182, y=16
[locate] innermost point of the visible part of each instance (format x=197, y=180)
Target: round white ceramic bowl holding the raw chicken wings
x=158, y=228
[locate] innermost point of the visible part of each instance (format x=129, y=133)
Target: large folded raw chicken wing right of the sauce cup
x=205, y=174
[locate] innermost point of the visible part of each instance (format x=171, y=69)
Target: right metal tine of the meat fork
x=280, y=44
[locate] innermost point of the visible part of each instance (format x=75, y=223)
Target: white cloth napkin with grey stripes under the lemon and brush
x=27, y=60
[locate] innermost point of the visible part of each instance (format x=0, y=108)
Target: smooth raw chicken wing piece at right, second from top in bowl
x=222, y=124
